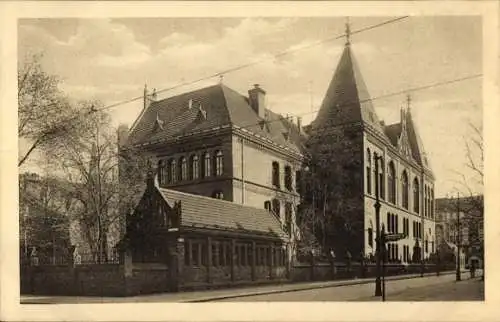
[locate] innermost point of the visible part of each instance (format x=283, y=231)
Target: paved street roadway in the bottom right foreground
x=443, y=288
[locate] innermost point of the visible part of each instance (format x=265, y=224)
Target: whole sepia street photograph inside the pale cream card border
x=250, y=158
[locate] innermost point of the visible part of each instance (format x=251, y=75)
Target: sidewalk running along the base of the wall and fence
x=211, y=295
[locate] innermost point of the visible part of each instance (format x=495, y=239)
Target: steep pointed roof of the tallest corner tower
x=347, y=99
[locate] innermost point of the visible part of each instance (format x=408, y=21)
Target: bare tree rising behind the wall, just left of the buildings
x=90, y=161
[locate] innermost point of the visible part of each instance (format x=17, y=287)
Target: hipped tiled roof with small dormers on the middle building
x=222, y=105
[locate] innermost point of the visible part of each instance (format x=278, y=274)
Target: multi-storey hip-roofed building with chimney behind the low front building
x=215, y=142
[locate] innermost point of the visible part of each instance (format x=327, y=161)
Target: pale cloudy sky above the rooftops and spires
x=112, y=59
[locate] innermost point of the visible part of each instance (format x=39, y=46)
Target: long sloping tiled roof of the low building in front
x=205, y=212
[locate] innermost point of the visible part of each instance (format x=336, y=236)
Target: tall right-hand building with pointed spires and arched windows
x=347, y=127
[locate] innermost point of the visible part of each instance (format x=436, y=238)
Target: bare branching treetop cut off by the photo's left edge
x=44, y=112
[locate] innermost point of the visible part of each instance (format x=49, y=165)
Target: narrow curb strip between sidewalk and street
x=306, y=288
